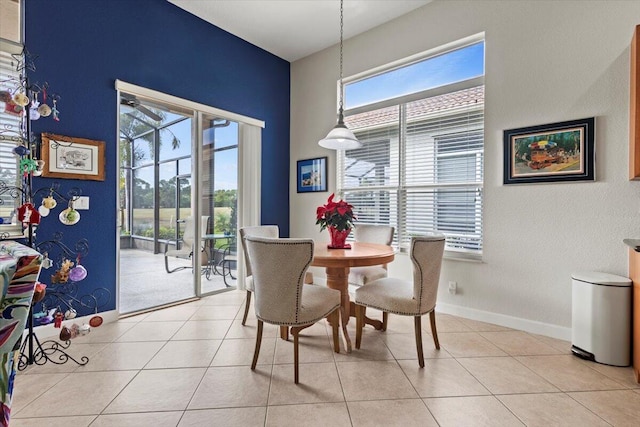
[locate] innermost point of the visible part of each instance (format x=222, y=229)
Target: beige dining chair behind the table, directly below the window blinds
x=358, y=276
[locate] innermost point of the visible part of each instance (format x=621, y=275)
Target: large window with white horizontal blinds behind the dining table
x=420, y=168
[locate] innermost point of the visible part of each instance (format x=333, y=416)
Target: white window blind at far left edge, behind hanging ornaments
x=10, y=135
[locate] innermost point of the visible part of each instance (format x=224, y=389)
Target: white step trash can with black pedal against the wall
x=601, y=318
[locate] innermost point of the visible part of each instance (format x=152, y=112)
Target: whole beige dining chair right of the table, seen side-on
x=405, y=298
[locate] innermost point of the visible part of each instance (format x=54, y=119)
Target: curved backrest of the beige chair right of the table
x=426, y=255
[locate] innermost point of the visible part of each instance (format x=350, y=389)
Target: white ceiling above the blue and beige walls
x=293, y=29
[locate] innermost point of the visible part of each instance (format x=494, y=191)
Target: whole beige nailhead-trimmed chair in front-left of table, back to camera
x=278, y=268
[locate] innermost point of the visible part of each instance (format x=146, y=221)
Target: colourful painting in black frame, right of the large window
x=555, y=152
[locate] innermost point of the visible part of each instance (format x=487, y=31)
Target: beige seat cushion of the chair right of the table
x=391, y=295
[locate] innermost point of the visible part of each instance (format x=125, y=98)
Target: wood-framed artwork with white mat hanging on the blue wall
x=72, y=158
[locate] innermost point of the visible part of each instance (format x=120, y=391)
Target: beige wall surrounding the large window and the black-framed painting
x=545, y=62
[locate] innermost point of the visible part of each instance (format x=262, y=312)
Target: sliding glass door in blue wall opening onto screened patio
x=181, y=200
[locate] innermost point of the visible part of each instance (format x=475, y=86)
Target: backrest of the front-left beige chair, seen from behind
x=278, y=267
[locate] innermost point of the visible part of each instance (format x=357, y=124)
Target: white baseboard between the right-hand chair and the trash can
x=532, y=326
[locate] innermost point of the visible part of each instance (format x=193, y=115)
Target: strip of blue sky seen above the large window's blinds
x=450, y=67
